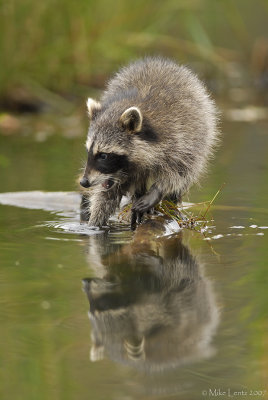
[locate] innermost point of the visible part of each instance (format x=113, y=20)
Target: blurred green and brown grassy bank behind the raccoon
x=64, y=47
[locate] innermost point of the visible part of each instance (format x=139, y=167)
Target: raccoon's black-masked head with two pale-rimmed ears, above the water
x=108, y=145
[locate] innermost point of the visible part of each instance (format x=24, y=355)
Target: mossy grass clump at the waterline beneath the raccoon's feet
x=186, y=217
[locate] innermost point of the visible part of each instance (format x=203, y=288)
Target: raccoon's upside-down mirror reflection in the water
x=153, y=309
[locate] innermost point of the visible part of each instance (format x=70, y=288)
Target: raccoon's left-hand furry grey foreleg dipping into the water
x=103, y=204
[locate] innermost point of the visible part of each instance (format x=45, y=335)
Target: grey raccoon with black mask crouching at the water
x=150, y=137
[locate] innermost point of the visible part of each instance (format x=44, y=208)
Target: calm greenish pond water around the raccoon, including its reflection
x=172, y=314
